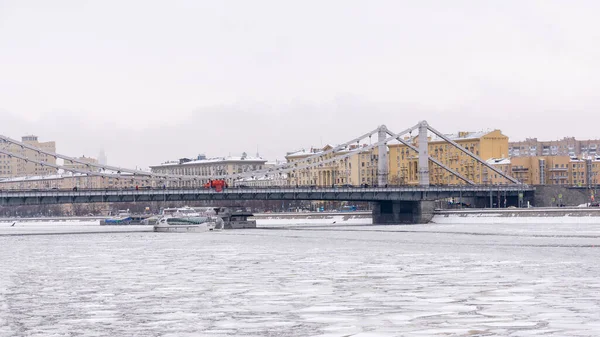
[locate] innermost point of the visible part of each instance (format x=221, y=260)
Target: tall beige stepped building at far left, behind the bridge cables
x=14, y=167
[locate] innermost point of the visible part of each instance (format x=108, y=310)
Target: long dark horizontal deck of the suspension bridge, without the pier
x=10, y=198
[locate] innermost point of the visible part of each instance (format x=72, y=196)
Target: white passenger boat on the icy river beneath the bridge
x=187, y=219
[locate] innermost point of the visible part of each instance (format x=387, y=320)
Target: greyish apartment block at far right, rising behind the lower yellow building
x=568, y=146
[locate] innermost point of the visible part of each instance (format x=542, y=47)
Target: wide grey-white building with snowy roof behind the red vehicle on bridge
x=207, y=167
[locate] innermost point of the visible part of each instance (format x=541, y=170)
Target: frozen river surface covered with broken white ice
x=429, y=280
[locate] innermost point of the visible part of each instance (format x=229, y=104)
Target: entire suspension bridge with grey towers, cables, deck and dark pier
x=408, y=204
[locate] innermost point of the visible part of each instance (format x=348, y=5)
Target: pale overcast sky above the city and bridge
x=149, y=81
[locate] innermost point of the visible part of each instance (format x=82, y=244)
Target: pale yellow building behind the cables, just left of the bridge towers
x=357, y=169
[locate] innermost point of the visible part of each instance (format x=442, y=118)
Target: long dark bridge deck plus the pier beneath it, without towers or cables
x=393, y=204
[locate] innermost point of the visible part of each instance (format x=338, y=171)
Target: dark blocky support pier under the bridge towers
x=403, y=212
